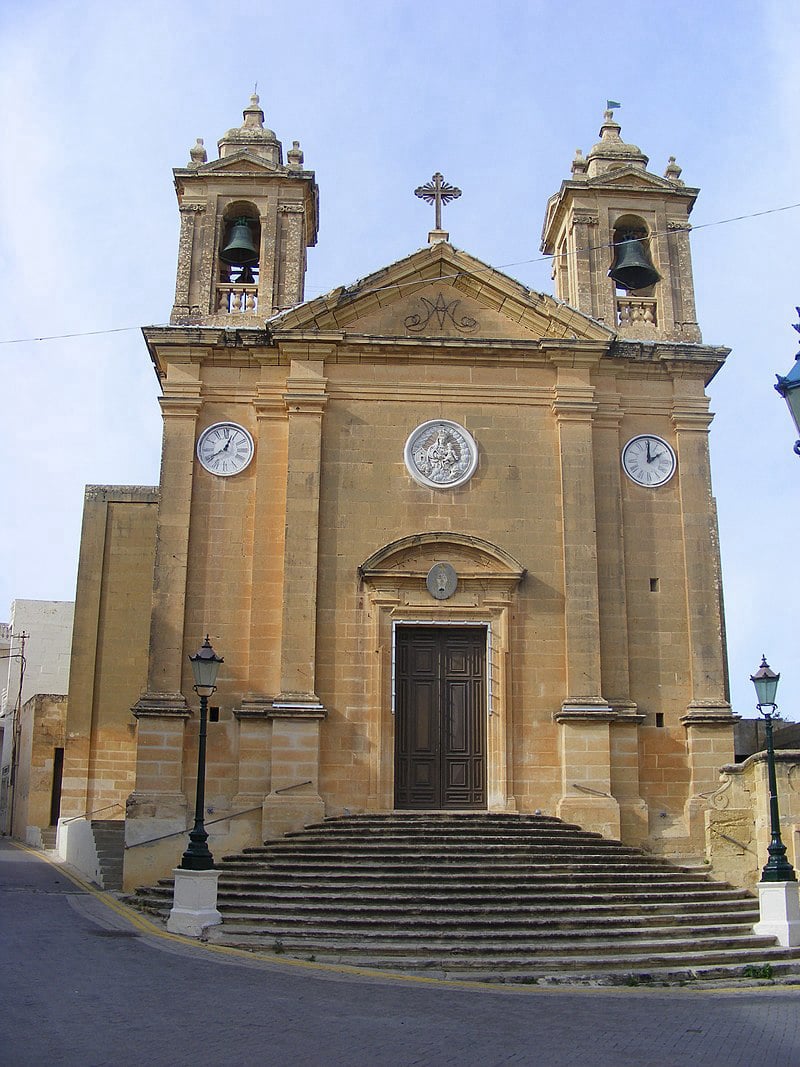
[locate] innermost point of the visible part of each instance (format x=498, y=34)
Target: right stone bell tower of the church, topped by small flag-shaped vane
x=620, y=241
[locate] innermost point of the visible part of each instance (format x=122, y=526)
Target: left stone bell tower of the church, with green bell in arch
x=247, y=220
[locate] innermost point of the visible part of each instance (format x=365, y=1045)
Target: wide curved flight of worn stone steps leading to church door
x=485, y=897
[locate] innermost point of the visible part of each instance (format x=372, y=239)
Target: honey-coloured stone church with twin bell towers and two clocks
x=455, y=539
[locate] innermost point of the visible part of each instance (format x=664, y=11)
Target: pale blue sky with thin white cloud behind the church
x=99, y=103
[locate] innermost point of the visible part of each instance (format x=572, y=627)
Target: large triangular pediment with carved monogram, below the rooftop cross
x=441, y=293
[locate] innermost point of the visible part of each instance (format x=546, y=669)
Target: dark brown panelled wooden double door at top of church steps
x=441, y=718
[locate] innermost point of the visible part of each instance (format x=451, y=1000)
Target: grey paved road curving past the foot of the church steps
x=84, y=986
